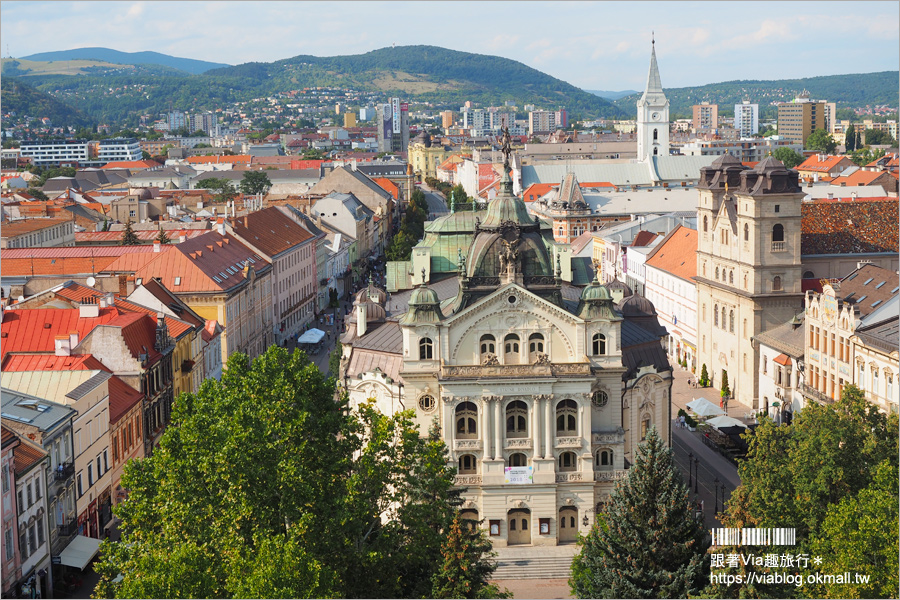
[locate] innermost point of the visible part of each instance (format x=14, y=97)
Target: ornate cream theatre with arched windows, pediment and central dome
x=542, y=391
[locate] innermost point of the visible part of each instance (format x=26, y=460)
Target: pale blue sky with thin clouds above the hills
x=592, y=45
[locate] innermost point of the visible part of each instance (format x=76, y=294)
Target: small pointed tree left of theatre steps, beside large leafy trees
x=466, y=565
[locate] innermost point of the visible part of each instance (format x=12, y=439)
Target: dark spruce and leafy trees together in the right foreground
x=832, y=475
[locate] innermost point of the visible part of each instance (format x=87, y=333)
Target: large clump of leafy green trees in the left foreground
x=267, y=486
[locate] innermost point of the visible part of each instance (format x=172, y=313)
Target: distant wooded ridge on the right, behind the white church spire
x=845, y=90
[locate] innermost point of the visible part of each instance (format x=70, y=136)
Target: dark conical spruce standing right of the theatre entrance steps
x=649, y=544
